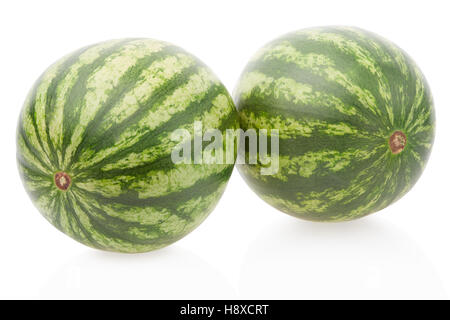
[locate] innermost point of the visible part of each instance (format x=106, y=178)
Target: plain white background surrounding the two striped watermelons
x=245, y=249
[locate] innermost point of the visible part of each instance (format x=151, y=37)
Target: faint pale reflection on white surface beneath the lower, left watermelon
x=171, y=273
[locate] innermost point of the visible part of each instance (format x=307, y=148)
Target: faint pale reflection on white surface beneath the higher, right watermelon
x=362, y=259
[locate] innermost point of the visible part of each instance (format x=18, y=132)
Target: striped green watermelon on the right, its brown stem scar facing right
x=355, y=119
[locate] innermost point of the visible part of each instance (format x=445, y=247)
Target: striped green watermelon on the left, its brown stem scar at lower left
x=94, y=144
